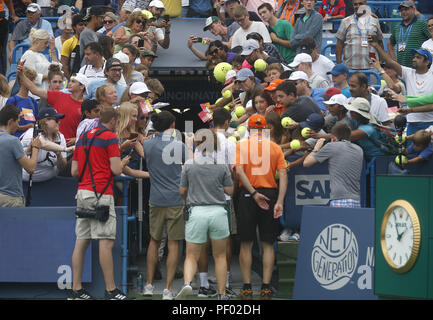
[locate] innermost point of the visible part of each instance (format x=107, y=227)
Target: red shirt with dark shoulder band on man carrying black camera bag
x=104, y=147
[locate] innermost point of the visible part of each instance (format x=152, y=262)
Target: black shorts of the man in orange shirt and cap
x=251, y=215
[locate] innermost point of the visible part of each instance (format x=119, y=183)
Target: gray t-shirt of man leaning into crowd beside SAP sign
x=345, y=167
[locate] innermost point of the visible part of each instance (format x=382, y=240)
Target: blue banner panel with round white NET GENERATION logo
x=336, y=254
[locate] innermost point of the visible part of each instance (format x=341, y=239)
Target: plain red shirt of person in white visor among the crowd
x=71, y=108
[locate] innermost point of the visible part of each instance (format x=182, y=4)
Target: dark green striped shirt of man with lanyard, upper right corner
x=414, y=35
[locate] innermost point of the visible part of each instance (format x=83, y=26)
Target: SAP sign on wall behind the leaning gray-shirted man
x=312, y=189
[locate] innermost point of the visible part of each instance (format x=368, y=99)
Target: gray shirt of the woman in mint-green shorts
x=205, y=181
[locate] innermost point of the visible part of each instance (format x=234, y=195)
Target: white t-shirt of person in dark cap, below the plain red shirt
x=46, y=167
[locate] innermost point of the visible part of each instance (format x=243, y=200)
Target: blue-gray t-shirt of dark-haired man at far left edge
x=11, y=182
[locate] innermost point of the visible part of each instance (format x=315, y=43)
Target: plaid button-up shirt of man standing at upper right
x=355, y=55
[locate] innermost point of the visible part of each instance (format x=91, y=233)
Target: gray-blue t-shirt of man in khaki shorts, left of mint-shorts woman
x=164, y=157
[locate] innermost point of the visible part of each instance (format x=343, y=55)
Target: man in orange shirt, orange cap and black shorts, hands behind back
x=260, y=201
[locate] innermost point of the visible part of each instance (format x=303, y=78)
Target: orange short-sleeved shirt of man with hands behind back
x=260, y=158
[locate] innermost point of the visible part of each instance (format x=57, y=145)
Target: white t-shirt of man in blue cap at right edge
x=416, y=85
